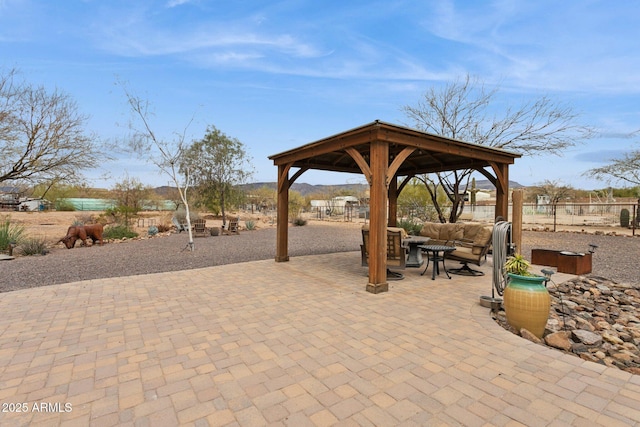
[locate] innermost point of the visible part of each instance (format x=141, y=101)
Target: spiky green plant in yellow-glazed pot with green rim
x=526, y=299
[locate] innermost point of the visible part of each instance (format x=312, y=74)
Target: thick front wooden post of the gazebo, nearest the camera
x=378, y=222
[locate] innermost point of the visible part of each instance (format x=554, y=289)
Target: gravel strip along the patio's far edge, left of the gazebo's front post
x=168, y=253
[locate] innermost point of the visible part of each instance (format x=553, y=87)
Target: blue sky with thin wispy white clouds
x=279, y=74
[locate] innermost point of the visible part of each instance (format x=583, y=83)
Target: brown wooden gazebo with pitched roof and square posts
x=389, y=156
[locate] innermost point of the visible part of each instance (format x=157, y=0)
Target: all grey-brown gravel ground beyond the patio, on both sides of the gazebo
x=616, y=257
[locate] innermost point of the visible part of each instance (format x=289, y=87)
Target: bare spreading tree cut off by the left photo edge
x=42, y=136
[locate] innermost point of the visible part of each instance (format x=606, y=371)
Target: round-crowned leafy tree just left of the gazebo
x=217, y=163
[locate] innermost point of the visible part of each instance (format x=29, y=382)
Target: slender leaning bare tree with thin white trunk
x=166, y=155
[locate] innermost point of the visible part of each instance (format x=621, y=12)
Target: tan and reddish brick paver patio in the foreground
x=296, y=343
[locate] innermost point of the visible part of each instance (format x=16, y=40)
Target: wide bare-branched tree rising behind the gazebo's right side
x=463, y=110
